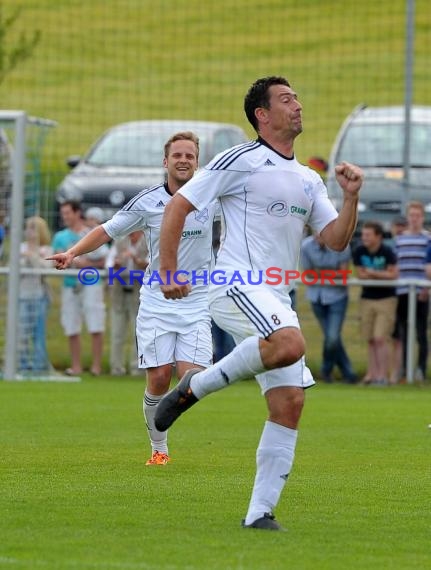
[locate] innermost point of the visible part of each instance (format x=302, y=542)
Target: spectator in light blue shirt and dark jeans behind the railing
x=329, y=304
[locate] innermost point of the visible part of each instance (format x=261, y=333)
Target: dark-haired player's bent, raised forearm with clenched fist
x=338, y=233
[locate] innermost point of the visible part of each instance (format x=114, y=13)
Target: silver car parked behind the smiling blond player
x=129, y=157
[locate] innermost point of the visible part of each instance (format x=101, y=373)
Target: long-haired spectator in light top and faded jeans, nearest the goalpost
x=34, y=297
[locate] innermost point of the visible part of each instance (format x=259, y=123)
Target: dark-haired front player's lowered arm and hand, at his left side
x=170, y=235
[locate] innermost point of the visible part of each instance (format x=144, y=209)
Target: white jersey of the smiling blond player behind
x=145, y=212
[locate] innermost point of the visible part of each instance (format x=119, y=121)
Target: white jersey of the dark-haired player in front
x=266, y=199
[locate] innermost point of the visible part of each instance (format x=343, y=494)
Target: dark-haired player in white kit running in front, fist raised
x=266, y=198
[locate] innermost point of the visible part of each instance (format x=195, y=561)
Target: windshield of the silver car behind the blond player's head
x=132, y=149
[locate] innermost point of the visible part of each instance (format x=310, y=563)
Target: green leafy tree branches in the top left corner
x=10, y=56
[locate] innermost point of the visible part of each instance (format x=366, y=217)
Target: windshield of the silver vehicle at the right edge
x=382, y=145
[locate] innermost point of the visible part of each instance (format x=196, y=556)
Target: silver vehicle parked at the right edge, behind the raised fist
x=373, y=138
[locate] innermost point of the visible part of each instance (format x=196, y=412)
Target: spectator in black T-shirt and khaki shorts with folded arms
x=374, y=260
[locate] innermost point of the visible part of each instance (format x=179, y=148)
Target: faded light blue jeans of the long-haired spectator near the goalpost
x=33, y=354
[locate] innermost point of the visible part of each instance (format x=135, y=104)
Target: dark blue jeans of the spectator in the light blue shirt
x=331, y=318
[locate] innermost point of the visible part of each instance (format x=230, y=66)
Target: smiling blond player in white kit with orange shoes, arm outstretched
x=168, y=332
